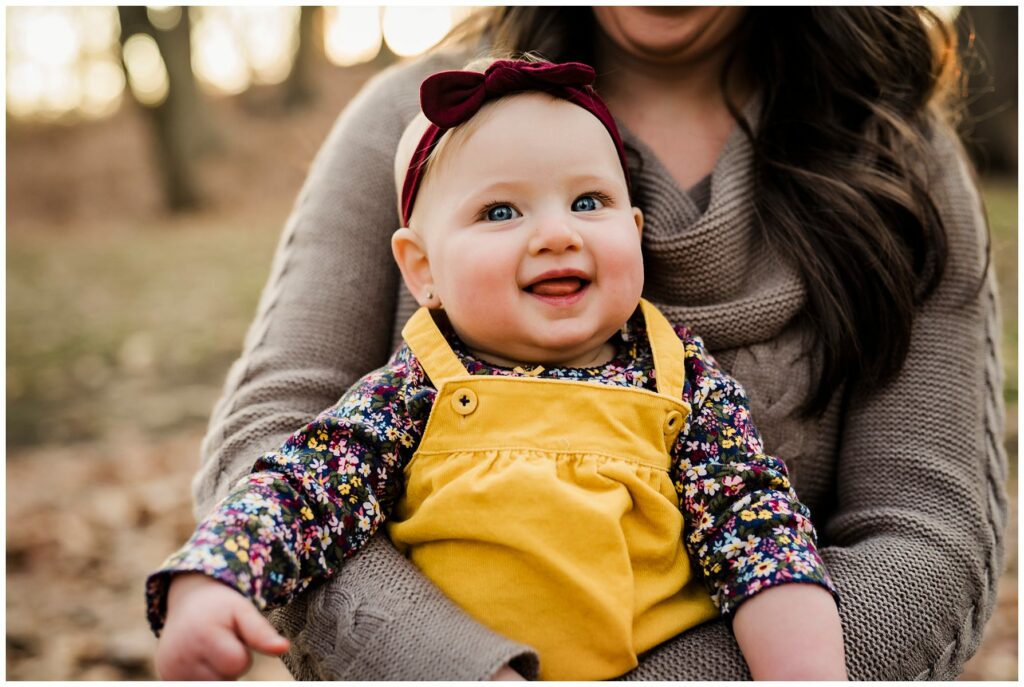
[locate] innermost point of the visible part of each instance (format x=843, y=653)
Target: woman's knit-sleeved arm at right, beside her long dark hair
x=916, y=543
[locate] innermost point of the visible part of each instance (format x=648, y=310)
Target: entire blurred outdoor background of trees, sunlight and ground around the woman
x=153, y=156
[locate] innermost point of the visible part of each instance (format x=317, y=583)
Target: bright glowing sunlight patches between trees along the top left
x=68, y=60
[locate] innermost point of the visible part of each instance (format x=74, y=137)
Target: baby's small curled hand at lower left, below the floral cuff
x=209, y=631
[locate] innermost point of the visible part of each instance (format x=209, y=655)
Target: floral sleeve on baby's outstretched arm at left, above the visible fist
x=305, y=509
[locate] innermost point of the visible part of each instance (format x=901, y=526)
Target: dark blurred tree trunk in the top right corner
x=990, y=37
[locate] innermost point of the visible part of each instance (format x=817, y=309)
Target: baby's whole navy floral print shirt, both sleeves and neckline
x=305, y=509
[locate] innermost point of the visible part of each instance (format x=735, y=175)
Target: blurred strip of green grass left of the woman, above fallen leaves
x=126, y=329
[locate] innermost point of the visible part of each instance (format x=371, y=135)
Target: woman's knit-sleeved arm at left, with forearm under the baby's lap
x=325, y=320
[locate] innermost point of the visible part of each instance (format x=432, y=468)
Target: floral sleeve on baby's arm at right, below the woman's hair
x=744, y=524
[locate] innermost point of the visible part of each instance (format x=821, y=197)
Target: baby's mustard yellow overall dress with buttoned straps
x=545, y=508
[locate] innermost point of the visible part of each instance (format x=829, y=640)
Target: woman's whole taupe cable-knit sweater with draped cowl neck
x=907, y=484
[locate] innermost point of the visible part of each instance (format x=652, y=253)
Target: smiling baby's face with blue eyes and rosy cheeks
x=529, y=240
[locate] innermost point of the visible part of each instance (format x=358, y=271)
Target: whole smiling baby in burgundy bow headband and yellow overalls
x=565, y=465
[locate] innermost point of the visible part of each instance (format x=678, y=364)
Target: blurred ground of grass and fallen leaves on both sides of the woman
x=118, y=342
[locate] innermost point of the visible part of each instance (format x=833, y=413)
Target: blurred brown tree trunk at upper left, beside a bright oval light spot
x=181, y=123
